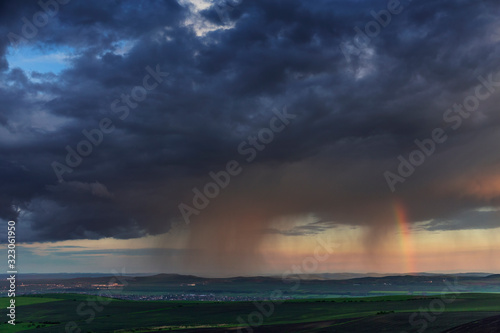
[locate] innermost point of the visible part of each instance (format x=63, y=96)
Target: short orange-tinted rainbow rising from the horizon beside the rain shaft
x=406, y=241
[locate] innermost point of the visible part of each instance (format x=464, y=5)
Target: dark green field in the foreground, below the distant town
x=51, y=312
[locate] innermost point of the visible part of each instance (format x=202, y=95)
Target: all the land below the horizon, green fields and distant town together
x=171, y=302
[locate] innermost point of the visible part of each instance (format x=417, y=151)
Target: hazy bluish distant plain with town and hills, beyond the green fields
x=193, y=288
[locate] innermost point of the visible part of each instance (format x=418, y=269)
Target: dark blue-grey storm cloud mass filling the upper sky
x=355, y=115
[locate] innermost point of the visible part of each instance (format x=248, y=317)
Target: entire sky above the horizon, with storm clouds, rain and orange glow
x=239, y=137
